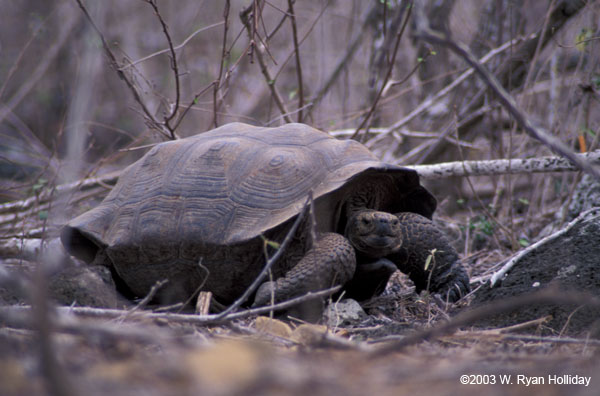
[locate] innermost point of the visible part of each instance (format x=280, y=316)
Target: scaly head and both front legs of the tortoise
x=376, y=243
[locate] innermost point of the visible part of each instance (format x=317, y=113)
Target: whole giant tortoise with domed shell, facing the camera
x=197, y=211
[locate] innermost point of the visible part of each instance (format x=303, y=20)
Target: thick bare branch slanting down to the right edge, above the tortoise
x=522, y=119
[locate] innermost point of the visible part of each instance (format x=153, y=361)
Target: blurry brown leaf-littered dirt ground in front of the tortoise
x=136, y=354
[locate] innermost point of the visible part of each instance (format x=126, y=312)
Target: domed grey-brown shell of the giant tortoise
x=195, y=210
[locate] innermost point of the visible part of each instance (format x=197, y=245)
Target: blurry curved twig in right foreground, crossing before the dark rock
x=465, y=318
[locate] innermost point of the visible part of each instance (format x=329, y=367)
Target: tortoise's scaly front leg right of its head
x=421, y=239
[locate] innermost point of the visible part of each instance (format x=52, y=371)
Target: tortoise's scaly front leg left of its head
x=330, y=262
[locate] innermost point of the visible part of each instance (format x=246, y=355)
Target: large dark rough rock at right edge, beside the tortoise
x=568, y=260
